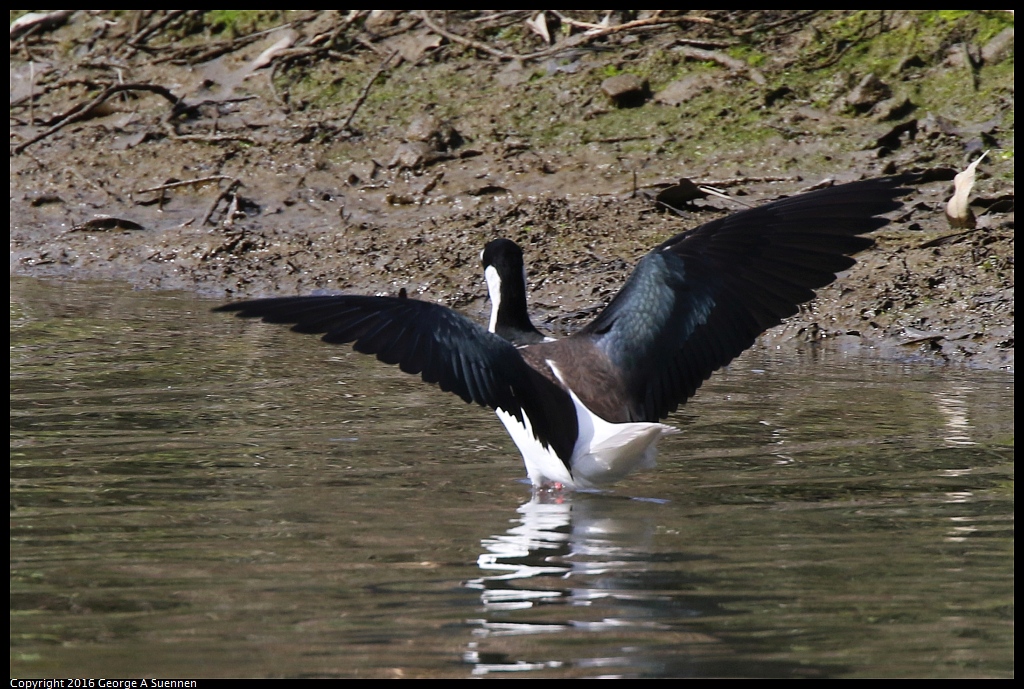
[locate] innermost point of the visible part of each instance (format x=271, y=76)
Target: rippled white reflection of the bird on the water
x=561, y=555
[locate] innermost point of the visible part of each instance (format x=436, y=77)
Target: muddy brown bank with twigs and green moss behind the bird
x=263, y=154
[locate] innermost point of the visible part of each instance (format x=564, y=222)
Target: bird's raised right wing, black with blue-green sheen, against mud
x=703, y=297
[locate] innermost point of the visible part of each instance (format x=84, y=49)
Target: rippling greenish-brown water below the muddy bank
x=197, y=496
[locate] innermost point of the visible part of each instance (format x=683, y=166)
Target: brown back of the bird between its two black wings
x=587, y=372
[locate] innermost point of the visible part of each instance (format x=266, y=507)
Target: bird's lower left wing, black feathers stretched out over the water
x=443, y=347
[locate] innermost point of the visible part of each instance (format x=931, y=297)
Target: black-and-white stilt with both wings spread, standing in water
x=584, y=410
